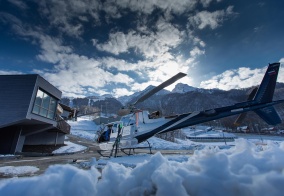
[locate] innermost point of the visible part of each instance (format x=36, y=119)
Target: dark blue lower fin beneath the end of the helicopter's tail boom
x=269, y=115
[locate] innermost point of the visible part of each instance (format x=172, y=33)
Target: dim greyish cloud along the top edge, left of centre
x=65, y=14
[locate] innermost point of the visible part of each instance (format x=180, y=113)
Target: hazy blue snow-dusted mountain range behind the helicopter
x=182, y=99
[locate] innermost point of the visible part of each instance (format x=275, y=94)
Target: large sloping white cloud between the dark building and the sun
x=73, y=73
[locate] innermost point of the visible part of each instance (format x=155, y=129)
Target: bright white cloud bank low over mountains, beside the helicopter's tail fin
x=243, y=77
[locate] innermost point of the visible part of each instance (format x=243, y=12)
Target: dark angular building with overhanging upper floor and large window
x=29, y=113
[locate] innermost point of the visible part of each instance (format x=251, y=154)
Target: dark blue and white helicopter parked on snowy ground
x=137, y=125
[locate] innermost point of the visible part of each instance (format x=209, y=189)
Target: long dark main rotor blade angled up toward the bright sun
x=160, y=87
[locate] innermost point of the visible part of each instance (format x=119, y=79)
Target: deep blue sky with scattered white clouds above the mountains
x=118, y=47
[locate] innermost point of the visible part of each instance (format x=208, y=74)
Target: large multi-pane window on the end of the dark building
x=45, y=105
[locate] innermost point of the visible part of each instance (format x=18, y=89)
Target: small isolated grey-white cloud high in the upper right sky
x=212, y=20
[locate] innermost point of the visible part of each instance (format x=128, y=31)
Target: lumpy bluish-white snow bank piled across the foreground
x=249, y=167
